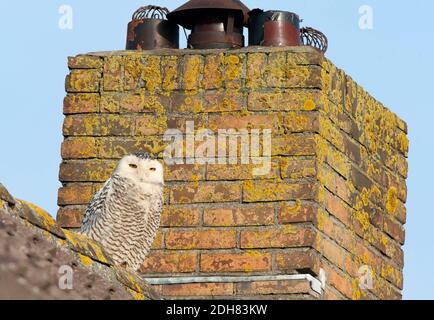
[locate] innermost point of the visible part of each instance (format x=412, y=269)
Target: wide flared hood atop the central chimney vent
x=187, y=14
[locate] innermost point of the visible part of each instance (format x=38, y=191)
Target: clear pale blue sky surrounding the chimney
x=393, y=61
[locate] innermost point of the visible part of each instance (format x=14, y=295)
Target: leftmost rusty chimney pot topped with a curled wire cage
x=149, y=29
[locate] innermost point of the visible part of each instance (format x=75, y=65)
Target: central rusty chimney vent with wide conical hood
x=214, y=24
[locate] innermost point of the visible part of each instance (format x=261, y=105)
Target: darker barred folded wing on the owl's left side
x=95, y=209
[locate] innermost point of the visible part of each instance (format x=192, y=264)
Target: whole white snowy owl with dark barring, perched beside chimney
x=124, y=215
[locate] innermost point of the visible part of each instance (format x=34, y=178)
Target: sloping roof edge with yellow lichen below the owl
x=88, y=251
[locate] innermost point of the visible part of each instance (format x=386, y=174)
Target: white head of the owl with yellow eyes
x=141, y=168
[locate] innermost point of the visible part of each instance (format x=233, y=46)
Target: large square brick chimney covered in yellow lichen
x=326, y=222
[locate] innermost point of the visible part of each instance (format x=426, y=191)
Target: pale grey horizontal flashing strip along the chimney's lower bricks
x=315, y=284
